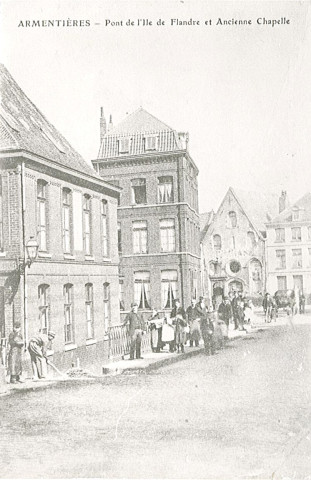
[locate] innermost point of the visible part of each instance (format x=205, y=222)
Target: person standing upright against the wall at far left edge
x=16, y=343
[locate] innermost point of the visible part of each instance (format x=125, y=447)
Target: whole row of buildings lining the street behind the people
x=125, y=229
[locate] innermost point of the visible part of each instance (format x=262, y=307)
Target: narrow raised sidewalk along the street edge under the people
x=151, y=361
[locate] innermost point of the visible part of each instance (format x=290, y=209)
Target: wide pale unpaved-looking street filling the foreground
x=243, y=413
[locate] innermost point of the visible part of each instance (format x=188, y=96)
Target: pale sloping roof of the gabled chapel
x=258, y=206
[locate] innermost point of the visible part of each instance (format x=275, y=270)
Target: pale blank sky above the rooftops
x=241, y=91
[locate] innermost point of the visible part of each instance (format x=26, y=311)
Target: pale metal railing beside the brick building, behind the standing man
x=120, y=341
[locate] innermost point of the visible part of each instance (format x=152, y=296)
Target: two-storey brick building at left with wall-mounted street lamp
x=47, y=191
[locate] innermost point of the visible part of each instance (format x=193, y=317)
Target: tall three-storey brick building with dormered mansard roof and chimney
x=158, y=221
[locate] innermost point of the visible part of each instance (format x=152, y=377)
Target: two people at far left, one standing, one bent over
x=37, y=348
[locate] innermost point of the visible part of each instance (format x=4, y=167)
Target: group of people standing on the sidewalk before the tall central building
x=174, y=329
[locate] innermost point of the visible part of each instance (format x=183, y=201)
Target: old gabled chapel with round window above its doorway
x=233, y=244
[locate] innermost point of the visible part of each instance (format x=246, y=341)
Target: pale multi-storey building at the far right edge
x=289, y=247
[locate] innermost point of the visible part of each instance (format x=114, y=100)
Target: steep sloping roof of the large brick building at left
x=24, y=127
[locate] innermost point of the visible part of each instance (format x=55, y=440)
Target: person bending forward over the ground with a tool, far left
x=38, y=348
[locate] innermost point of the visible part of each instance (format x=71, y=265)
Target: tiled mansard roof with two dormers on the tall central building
x=136, y=127
